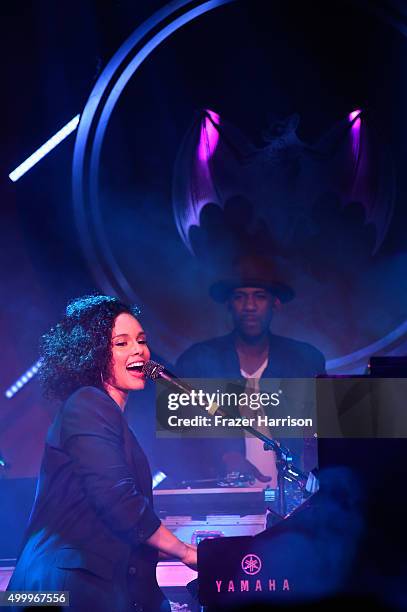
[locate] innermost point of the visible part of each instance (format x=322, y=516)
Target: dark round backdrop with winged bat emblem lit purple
x=264, y=144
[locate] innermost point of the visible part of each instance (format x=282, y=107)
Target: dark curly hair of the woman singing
x=77, y=351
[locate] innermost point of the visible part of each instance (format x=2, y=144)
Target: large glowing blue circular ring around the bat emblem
x=89, y=139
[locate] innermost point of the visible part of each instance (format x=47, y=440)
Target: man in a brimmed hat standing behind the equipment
x=251, y=292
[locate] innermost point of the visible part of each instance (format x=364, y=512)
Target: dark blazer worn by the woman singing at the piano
x=92, y=513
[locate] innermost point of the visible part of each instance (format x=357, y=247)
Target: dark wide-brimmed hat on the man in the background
x=251, y=271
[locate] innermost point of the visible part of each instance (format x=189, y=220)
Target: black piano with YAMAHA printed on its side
x=347, y=541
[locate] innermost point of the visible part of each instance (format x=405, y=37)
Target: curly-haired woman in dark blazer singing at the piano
x=93, y=531
